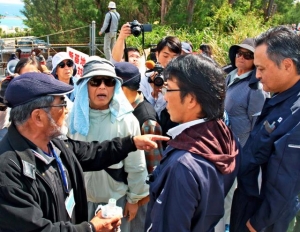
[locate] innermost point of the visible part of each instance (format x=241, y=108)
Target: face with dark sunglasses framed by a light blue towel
x=101, y=90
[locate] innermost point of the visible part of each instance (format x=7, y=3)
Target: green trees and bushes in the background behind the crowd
x=219, y=23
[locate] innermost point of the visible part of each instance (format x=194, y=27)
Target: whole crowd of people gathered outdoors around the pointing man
x=180, y=143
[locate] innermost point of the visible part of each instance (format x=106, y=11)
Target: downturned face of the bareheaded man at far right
x=274, y=79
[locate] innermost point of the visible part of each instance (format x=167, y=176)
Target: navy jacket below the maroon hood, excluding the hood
x=181, y=194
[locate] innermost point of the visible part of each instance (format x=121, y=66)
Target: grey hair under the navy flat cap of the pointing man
x=20, y=114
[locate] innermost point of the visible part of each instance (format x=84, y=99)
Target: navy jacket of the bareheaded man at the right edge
x=273, y=146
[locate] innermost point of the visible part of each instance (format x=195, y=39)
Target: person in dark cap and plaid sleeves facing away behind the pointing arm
x=147, y=118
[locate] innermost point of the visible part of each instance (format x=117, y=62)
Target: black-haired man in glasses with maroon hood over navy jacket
x=198, y=167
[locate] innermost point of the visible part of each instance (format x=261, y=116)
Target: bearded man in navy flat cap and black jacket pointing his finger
x=41, y=176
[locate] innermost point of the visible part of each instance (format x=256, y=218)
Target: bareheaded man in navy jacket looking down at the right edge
x=269, y=204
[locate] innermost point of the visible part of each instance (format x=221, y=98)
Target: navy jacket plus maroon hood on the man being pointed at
x=188, y=187
